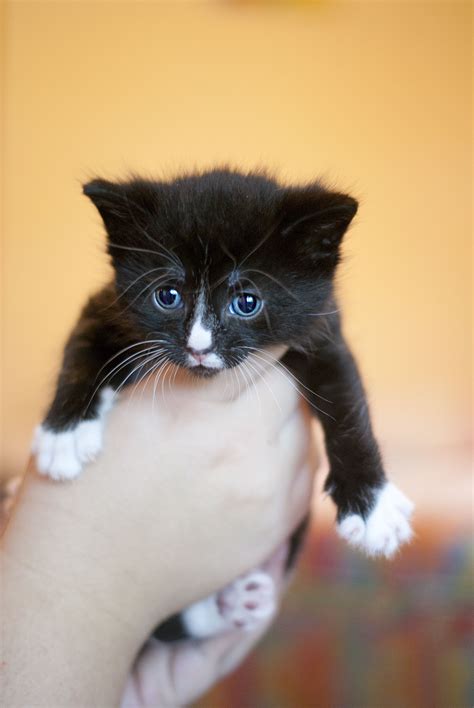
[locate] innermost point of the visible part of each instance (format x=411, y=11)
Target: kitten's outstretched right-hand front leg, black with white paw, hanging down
x=372, y=513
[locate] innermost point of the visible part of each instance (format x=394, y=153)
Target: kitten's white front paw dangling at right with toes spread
x=386, y=528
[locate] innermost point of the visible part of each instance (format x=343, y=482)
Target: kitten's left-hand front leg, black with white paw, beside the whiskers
x=71, y=433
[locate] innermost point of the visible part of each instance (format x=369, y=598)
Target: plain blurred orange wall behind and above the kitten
x=374, y=95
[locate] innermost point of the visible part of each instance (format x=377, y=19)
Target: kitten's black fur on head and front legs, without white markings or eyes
x=225, y=233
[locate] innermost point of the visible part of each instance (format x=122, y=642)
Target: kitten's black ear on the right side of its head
x=317, y=218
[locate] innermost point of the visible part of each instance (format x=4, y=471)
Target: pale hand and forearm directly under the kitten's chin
x=186, y=496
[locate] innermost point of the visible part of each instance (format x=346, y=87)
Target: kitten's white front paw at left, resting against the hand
x=61, y=456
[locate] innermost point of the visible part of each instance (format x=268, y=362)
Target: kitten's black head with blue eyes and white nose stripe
x=220, y=264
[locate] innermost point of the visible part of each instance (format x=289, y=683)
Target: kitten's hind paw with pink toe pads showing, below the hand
x=248, y=601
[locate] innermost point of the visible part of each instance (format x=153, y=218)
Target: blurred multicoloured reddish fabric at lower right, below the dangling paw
x=358, y=633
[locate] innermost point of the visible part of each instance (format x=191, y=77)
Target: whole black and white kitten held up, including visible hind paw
x=211, y=269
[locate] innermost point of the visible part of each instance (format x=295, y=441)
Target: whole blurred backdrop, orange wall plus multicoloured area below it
x=376, y=98
